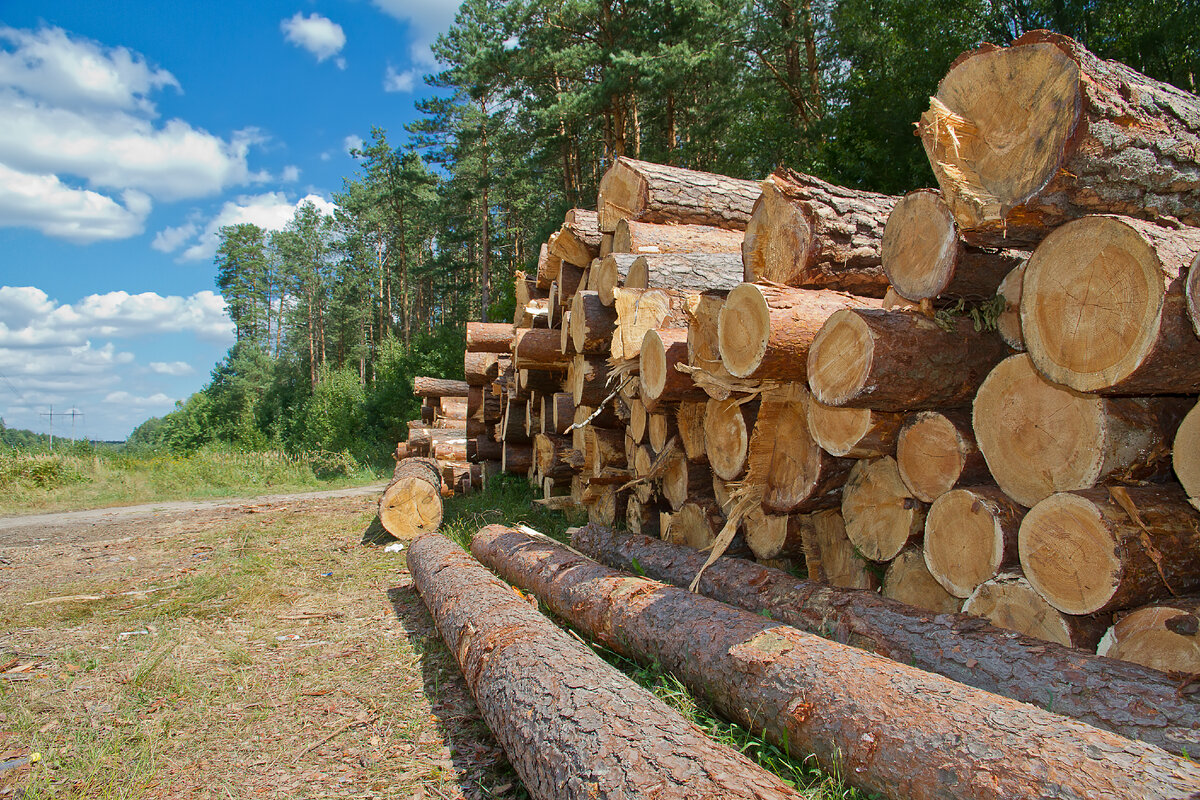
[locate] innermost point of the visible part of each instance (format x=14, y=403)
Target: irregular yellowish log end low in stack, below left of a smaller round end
x=881, y=515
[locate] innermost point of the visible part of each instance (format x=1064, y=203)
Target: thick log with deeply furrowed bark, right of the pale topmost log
x=808, y=233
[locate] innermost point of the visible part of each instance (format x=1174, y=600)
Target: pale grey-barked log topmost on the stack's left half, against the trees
x=640, y=190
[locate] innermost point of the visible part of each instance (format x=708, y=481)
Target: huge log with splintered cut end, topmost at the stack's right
x=1081, y=136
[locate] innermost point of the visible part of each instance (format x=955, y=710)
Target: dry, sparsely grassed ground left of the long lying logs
x=245, y=652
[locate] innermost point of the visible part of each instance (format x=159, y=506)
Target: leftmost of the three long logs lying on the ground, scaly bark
x=602, y=735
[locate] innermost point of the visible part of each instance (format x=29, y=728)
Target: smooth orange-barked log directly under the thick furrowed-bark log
x=766, y=332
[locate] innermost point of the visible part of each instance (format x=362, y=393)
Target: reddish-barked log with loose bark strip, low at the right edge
x=1108, y=549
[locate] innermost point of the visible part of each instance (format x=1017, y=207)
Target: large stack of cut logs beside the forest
x=908, y=395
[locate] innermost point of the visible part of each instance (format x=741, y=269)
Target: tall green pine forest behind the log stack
x=335, y=316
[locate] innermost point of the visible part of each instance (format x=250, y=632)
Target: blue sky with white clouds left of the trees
x=133, y=131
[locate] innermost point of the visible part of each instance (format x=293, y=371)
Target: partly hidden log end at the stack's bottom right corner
x=1165, y=636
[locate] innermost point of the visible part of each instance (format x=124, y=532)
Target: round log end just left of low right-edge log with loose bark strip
x=971, y=537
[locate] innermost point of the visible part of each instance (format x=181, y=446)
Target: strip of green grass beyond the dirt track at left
x=41, y=482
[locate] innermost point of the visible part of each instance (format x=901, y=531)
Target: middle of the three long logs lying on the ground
x=890, y=727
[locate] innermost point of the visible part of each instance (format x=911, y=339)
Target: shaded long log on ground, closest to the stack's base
x=1121, y=697
